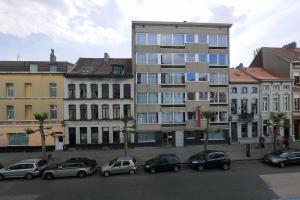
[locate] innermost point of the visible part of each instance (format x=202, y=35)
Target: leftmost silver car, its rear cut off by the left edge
x=28, y=169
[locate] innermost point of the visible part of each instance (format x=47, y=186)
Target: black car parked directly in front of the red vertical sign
x=209, y=159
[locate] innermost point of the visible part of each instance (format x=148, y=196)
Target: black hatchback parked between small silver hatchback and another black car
x=164, y=162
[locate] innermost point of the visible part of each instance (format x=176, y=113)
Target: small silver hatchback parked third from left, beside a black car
x=120, y=165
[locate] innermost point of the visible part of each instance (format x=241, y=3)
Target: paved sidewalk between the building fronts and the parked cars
x=235, y=152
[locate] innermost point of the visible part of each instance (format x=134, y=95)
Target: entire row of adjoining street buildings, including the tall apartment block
x=178, y=71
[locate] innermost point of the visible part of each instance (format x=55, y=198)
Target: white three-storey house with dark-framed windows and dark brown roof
x=98, y=94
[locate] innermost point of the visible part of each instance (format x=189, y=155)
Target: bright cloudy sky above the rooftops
x=88, y=28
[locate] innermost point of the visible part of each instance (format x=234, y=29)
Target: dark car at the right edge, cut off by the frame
x=283, y=157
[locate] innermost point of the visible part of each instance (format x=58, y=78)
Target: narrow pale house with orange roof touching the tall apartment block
x=244, y=115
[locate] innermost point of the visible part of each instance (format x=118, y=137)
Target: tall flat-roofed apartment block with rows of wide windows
x=181, y=71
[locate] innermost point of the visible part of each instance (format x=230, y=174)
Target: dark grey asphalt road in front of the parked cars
x=245, y=180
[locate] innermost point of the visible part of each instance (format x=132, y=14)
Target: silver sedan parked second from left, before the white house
x=67, y=169
